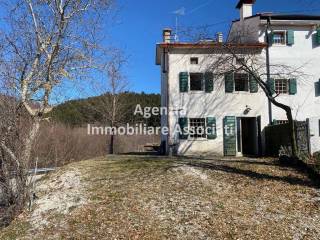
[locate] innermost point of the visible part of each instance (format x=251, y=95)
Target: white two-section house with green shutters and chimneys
x=235, y=107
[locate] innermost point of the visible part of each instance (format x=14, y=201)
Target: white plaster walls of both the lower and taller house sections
x=303, y=55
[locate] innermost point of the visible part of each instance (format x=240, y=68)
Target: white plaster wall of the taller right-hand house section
x=304, y=55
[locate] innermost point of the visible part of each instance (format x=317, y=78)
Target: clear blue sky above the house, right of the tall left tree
x=139, y=27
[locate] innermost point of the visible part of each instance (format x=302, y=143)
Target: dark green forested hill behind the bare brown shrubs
x=91, y=110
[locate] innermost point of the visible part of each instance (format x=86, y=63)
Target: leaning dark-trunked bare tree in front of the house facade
x=234, y=57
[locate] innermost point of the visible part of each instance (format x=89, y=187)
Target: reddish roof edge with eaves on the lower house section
x=201, y=45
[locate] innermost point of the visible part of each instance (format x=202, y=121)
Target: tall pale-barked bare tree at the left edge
x=45, y=43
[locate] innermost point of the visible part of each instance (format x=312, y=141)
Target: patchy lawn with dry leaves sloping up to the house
x=142, y=197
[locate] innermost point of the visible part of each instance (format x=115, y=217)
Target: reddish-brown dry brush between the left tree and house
x=58, y=145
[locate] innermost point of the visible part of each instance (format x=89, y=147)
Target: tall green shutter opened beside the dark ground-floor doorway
x=229, y=136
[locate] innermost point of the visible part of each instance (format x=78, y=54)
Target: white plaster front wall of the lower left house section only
x=216, y=104
